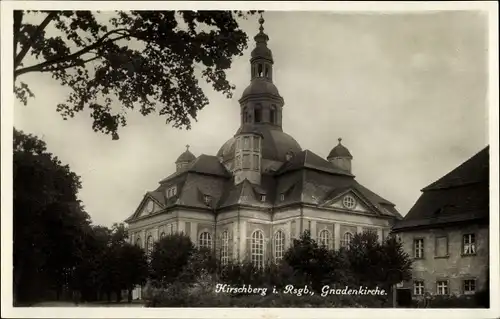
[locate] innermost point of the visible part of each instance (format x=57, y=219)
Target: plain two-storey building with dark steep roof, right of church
x=447, y=232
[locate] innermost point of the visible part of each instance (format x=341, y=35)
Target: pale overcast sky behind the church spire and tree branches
x=407, y=93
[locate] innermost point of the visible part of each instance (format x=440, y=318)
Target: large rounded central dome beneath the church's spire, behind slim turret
x=275, y=145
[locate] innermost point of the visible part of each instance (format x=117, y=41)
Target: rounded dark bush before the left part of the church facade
x=169, y=258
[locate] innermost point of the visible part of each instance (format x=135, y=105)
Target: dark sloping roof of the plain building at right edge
x=460, y=196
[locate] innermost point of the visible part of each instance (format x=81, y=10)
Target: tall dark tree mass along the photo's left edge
x=48, y=220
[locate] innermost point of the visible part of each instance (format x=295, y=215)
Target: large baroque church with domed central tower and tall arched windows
x=261, y=190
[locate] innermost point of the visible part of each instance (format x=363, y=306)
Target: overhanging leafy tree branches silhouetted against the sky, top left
x=146, y=60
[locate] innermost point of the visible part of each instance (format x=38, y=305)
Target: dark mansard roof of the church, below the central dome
x=307, y=180
